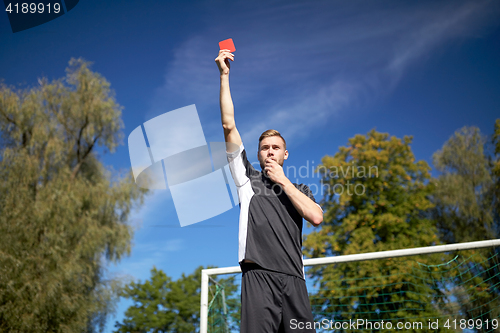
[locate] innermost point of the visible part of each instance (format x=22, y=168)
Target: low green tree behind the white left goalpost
x=162, y=305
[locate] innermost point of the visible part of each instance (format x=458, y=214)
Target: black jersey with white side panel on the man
x=270, y=230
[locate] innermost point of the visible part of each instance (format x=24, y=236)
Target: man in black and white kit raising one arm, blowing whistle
x=273, y=291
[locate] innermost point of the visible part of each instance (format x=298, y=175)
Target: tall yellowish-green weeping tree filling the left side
x=62, y=213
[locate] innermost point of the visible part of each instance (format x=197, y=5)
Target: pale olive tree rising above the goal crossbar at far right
x=463, y=208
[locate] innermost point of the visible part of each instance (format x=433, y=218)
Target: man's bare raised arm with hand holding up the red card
x=231, y=134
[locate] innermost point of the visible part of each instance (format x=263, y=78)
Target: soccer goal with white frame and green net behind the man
x=447, y=288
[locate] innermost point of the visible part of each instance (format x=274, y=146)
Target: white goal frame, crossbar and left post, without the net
x=206, y=273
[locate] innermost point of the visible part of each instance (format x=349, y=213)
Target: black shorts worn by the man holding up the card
x=273, y=302
